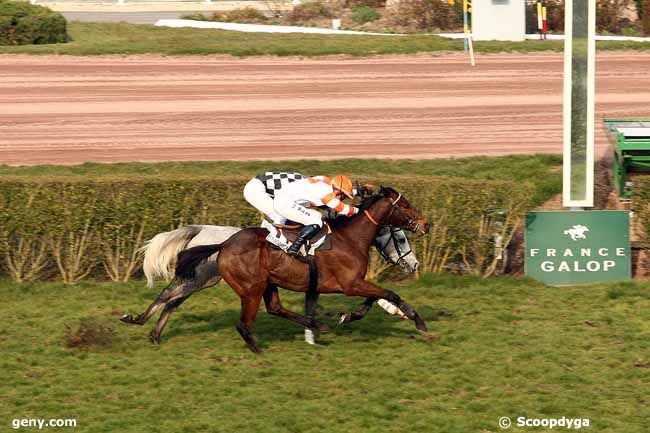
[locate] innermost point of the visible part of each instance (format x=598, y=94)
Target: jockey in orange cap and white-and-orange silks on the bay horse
x=295, y=200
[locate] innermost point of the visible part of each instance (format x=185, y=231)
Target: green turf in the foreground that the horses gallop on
x=511, y=347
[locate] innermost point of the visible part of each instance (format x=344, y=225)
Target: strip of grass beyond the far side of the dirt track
x=123, y=38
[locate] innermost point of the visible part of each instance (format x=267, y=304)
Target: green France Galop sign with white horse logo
x=578, y=247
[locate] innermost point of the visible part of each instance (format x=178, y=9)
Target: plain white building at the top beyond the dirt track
x=501, y=20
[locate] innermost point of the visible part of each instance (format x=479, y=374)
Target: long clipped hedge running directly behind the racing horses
x=74, y=228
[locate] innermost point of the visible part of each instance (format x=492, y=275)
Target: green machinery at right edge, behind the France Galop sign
x=631, y=141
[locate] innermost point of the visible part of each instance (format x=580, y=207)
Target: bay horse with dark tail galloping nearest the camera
x=254, y=269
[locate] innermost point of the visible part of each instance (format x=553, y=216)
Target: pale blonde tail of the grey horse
x=160, y=252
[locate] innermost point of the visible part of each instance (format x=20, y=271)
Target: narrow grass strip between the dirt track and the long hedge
x=541, y=170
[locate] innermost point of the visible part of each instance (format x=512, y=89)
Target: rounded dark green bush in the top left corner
x=22, y=23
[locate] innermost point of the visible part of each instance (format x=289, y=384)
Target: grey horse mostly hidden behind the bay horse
x=160, y=254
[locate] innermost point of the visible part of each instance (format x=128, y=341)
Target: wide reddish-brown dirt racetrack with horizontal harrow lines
x=67, y=110
